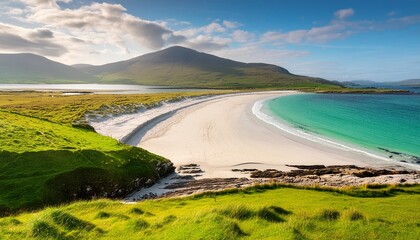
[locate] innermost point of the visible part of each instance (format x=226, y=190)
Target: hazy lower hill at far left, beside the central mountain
x=31, y=68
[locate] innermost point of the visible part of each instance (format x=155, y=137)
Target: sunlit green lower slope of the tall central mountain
x=184, y=75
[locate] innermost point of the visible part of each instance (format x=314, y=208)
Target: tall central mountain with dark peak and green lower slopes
x=179, y=66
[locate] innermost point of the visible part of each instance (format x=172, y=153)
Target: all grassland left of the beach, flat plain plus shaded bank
x=44, y=160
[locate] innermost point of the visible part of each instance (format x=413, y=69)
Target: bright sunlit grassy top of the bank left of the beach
x=27, y=134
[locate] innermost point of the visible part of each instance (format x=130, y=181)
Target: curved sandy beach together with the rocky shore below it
x=222, y=133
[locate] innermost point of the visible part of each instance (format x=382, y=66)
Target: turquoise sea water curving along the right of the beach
x=385, y=125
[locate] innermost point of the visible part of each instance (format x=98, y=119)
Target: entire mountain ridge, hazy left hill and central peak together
x=174, y=66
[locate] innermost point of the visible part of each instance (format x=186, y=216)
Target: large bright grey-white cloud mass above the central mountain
x=99, y=26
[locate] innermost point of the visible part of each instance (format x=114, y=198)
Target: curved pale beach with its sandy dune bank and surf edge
x=151, y=129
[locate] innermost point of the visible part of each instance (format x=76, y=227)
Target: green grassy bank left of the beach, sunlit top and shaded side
x=47, y=163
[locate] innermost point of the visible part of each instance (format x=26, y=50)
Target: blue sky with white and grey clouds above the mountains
x=340, y=40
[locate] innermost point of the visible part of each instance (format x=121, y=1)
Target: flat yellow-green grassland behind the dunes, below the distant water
x=55, y=107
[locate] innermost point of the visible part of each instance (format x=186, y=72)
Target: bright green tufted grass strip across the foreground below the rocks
x=284, y=213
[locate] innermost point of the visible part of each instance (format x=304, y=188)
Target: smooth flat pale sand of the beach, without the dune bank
x=222, y=134
